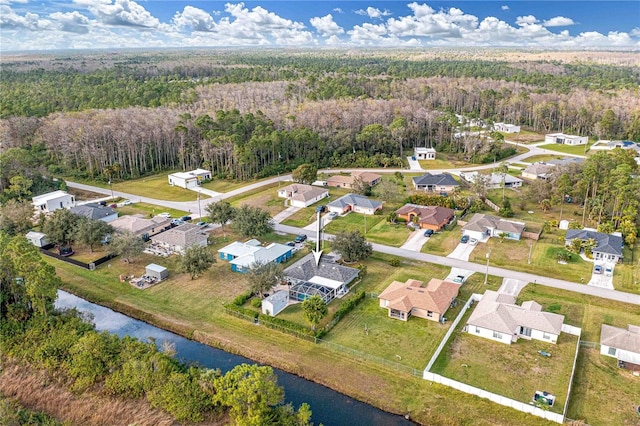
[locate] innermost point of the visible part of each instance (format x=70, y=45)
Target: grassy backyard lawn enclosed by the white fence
x=515, y=371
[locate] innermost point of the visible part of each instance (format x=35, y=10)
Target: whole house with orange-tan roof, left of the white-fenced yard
x=404, y=300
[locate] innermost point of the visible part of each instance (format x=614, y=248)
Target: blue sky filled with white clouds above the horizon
x=117, y=24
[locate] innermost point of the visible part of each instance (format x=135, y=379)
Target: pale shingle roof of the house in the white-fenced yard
x=499, y=312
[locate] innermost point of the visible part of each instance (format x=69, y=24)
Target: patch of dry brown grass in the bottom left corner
x=36, y=391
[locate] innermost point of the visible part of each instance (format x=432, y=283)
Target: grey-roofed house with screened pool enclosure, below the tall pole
x=326, y=279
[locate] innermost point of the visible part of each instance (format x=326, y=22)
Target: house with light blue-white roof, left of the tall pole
x=243, y=256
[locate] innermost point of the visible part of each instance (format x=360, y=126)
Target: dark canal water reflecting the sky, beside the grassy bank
x=329, y=407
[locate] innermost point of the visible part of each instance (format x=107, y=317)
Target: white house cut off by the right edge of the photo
x=622, y=344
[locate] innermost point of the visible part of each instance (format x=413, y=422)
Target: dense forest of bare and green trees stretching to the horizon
x=252, y=114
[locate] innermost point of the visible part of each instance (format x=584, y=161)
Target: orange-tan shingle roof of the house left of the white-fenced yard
x=435, y=297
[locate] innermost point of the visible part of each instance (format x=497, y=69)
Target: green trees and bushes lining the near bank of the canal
x=74, y=356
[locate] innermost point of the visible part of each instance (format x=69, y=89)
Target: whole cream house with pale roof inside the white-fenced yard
x=497, y=317
